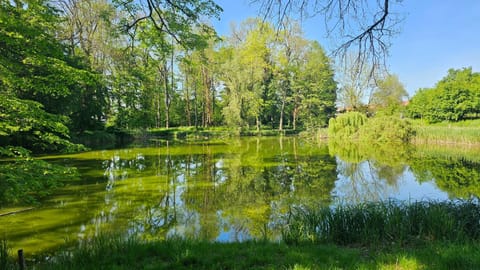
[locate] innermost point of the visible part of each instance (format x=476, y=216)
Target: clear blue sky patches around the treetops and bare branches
x=436, y=35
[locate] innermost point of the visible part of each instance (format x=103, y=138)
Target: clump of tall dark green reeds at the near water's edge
x=385, y=223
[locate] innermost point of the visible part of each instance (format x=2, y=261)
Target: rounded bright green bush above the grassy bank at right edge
x=456, y=97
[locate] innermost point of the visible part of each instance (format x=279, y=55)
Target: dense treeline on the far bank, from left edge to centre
x=73, y=66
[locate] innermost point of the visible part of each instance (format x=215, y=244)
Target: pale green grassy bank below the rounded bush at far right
x=464, y=132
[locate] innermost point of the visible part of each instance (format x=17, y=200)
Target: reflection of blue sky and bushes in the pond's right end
x=372, y=171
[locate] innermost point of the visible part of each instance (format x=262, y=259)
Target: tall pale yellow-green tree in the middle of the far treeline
x=244, y=73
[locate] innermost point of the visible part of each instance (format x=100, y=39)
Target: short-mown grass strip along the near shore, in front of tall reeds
x=113, y=253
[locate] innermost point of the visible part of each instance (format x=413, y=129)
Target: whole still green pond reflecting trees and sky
x=231, y=190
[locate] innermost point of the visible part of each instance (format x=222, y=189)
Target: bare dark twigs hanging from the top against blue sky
x=363, y=27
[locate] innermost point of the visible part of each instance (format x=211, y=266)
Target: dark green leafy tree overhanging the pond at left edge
x=39, y=82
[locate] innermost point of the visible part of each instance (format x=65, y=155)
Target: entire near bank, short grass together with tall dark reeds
x=427, y=235
